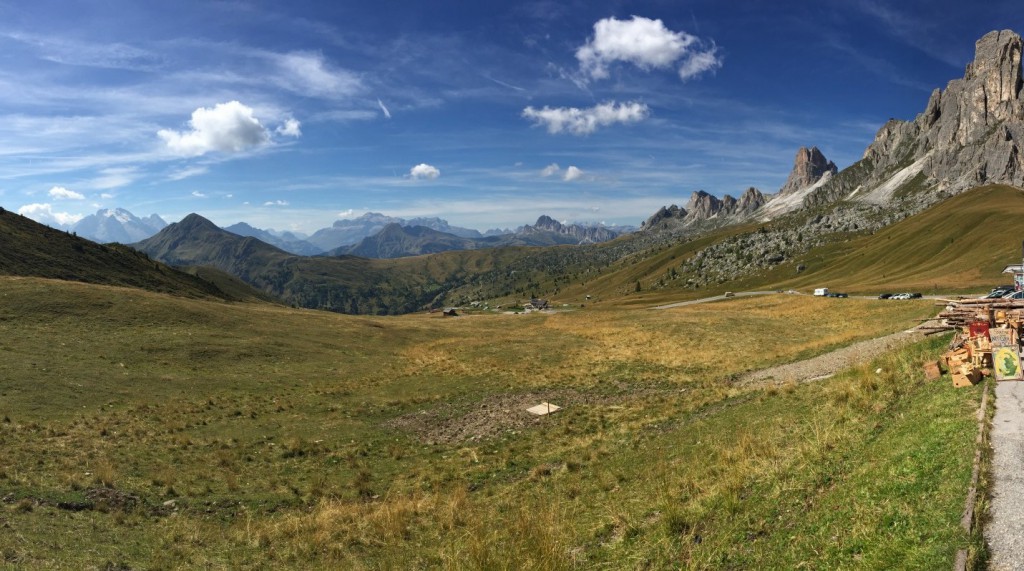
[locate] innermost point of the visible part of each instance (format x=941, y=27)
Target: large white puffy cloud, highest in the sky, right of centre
x=646, y=43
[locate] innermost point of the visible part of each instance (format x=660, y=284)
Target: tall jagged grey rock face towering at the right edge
x=969, y=135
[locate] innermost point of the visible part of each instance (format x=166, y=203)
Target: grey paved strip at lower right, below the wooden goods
x=1006, y=532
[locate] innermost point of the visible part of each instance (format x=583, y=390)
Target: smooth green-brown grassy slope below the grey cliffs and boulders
x=961, y=245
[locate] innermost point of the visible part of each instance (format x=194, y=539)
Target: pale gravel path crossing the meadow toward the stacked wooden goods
x=828, y=365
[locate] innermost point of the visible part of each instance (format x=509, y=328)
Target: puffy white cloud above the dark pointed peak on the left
x=228, y=127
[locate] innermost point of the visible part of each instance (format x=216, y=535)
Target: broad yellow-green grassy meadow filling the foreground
x=153, y=432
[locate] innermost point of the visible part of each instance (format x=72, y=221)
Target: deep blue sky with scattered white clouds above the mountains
x=293, y=115
